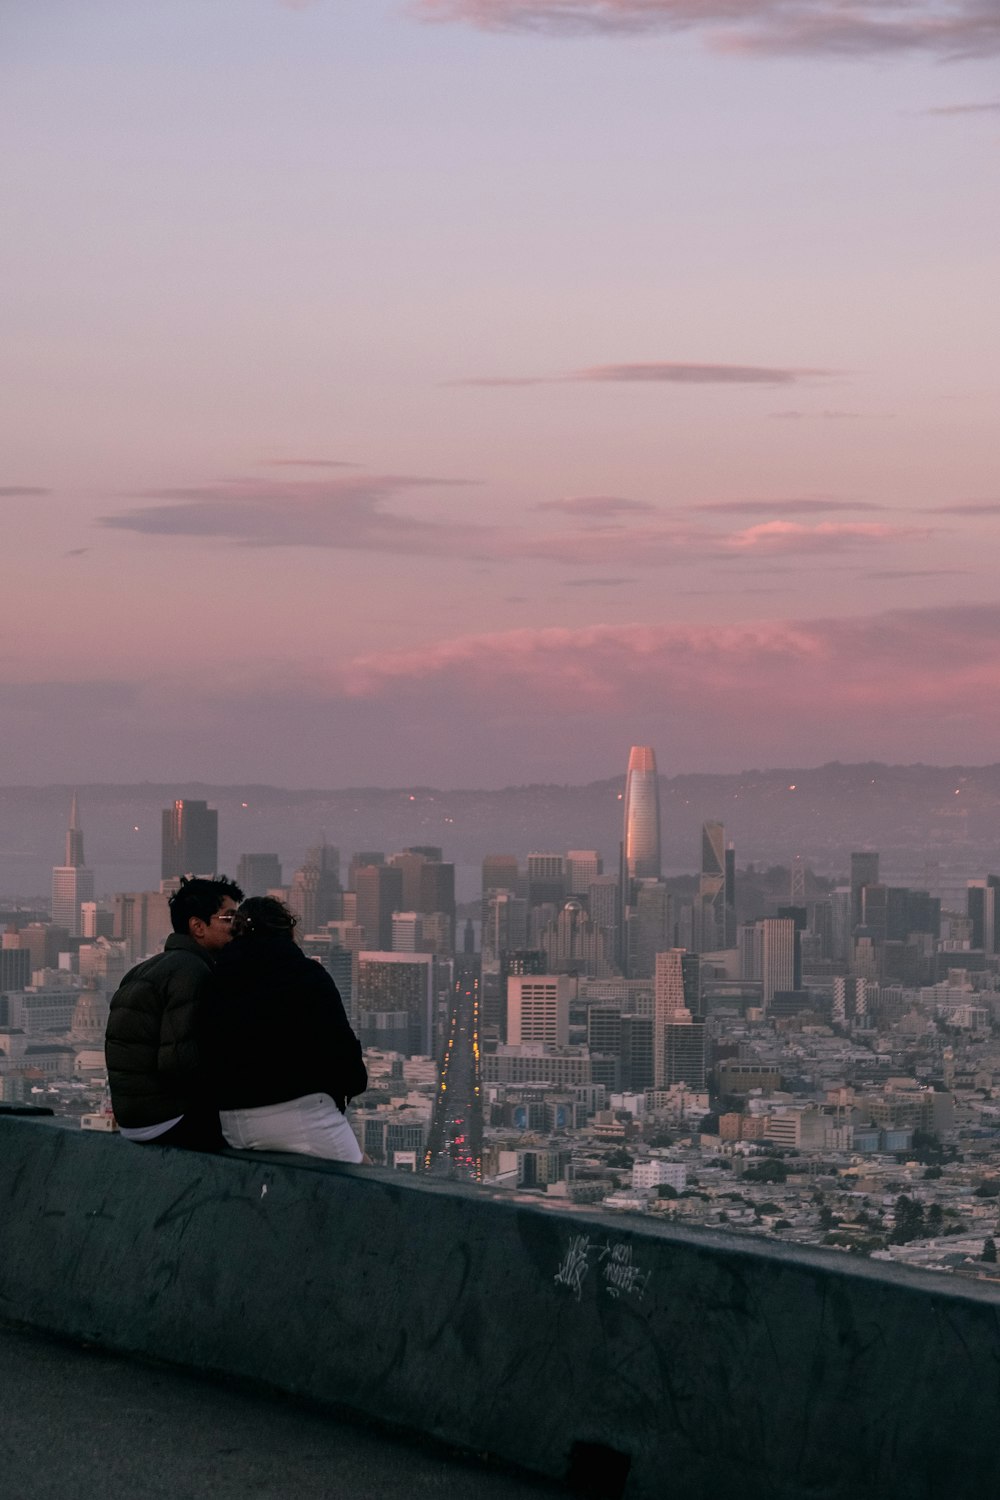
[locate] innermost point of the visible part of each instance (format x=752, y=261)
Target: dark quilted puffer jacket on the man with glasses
x=151, y=1046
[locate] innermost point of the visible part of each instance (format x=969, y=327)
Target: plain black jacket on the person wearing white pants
x=277, y=1028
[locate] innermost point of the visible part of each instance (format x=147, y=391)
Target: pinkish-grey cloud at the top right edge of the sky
x=872, y=28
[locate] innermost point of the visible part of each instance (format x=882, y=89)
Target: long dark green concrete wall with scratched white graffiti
x=714, y=1367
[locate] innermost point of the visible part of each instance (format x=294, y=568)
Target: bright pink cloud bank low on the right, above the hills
x=902, y=662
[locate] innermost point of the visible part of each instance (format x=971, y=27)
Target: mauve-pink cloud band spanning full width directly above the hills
x=555, y=704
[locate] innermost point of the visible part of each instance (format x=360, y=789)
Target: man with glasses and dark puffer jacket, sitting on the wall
x=152, y=1040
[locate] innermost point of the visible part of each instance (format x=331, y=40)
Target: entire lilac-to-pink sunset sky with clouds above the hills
x=458, y=392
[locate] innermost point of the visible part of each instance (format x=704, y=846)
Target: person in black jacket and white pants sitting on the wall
x=284, y=1057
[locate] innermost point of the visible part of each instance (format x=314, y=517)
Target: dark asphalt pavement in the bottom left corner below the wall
x=82, y=1423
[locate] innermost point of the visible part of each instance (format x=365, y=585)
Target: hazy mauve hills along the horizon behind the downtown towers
x=932, y=824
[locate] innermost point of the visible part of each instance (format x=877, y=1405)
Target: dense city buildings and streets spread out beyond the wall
x=780, y=1033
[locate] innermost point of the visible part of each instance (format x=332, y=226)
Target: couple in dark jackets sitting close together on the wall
x=233, y=1036
